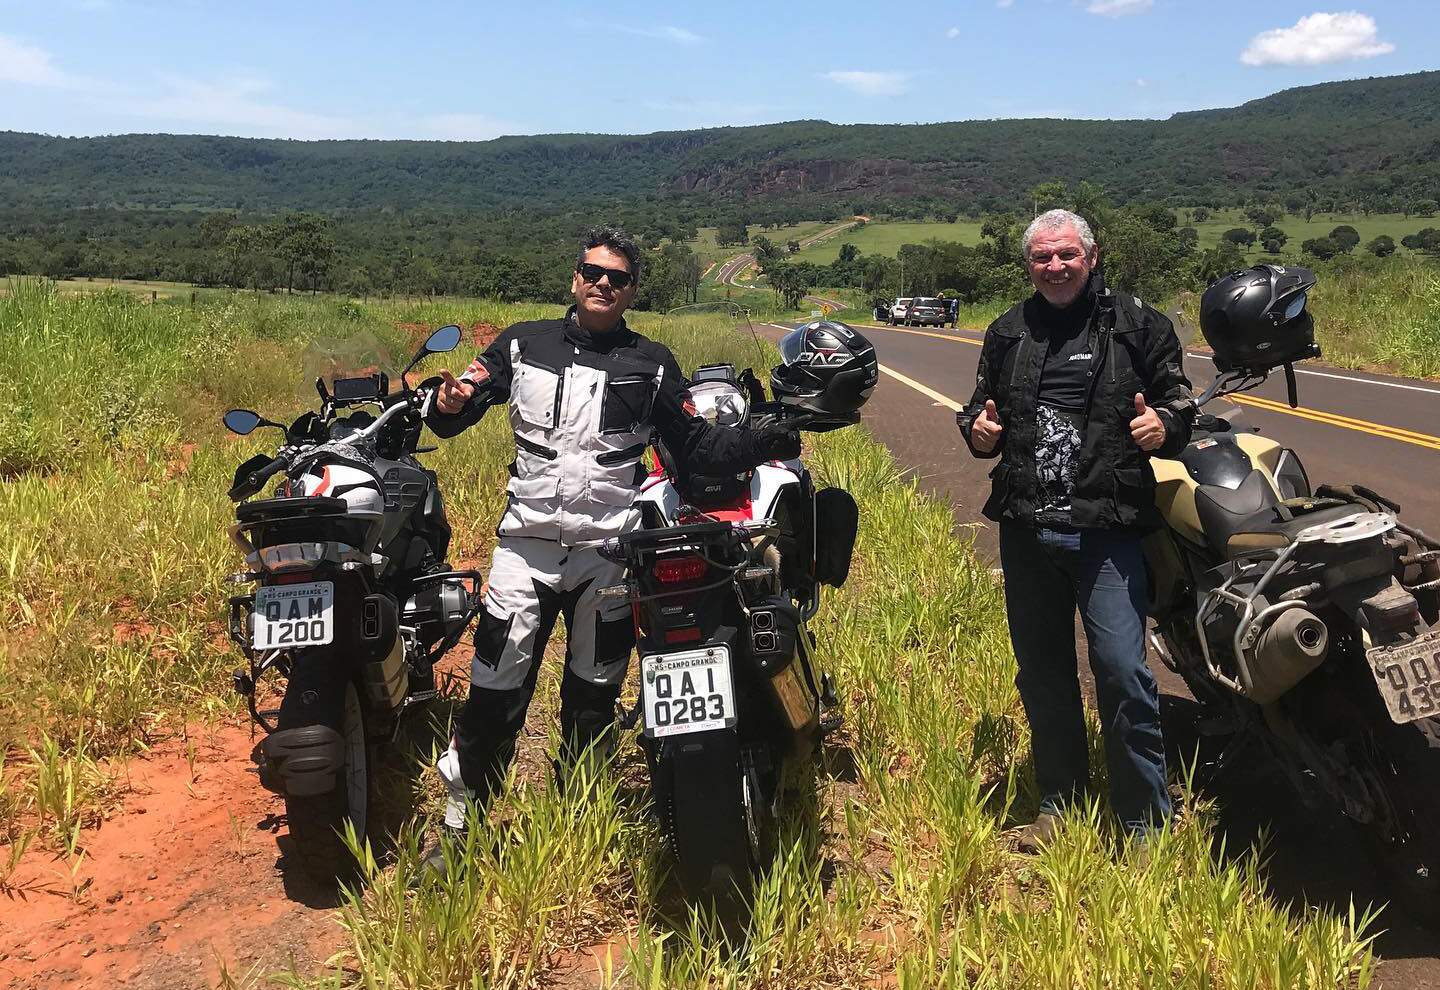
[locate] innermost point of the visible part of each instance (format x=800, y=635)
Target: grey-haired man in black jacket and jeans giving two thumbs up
x=1078, y=388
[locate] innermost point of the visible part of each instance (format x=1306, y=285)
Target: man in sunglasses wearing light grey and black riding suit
x=587, y=396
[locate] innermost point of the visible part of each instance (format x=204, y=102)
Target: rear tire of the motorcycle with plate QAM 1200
x=316, y=822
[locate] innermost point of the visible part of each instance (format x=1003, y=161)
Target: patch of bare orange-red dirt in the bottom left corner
x=182, y=878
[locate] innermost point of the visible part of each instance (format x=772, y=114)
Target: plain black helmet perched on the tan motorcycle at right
x=1256, y=320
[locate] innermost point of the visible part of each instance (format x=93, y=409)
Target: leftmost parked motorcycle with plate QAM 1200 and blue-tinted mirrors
x=354, y=598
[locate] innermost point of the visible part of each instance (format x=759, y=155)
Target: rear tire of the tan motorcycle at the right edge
x=1408, y=766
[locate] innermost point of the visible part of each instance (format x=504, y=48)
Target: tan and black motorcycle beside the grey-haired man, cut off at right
x=1307, y=619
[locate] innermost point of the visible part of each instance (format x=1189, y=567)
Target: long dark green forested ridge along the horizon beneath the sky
x=1366, y=145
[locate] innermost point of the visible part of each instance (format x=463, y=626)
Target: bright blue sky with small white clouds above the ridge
x=474, y=71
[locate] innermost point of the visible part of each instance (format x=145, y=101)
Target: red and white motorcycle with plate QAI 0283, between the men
x=724, y=576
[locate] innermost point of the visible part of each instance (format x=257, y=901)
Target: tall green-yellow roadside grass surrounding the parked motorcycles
x=898, y=874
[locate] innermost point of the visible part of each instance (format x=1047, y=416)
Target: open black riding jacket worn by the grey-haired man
x=1134, y=350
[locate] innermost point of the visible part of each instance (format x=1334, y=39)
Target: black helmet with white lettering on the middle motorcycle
x=827, y=369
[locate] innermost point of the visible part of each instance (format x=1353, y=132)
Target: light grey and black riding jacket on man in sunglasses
x=584, y=409
